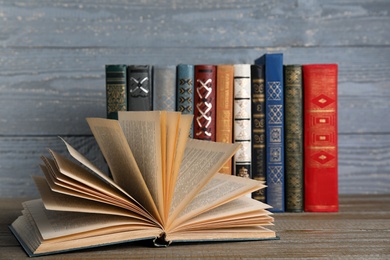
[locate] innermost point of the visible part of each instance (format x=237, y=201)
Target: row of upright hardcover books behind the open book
x=285, y=117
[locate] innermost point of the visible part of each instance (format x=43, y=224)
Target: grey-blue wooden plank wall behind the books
x=52, y=57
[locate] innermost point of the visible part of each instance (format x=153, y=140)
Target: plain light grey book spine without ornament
x=164, y=88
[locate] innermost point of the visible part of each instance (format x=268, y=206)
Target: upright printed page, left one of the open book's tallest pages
x=143, y=134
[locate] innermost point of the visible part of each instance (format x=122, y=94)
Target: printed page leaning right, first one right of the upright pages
x=201, y=161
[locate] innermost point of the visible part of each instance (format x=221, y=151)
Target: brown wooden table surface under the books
x=360, y=230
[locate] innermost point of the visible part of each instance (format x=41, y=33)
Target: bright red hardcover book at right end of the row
x=320, y=138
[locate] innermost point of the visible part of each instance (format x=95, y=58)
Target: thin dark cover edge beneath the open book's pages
x=156, y=241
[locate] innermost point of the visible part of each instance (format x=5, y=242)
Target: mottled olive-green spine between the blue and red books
x=293, y=102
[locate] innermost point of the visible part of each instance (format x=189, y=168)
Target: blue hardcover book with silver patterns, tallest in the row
x=274, y=115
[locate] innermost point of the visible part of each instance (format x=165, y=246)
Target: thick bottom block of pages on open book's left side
x=68, y=231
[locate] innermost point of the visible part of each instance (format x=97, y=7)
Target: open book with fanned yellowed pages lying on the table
x=164, y=187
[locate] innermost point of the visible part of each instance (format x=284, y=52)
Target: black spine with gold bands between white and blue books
x=258, y=128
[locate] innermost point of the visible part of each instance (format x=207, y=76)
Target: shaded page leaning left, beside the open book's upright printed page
x=113, y=144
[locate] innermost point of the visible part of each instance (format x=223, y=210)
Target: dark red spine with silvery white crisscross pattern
x=204, y=101
